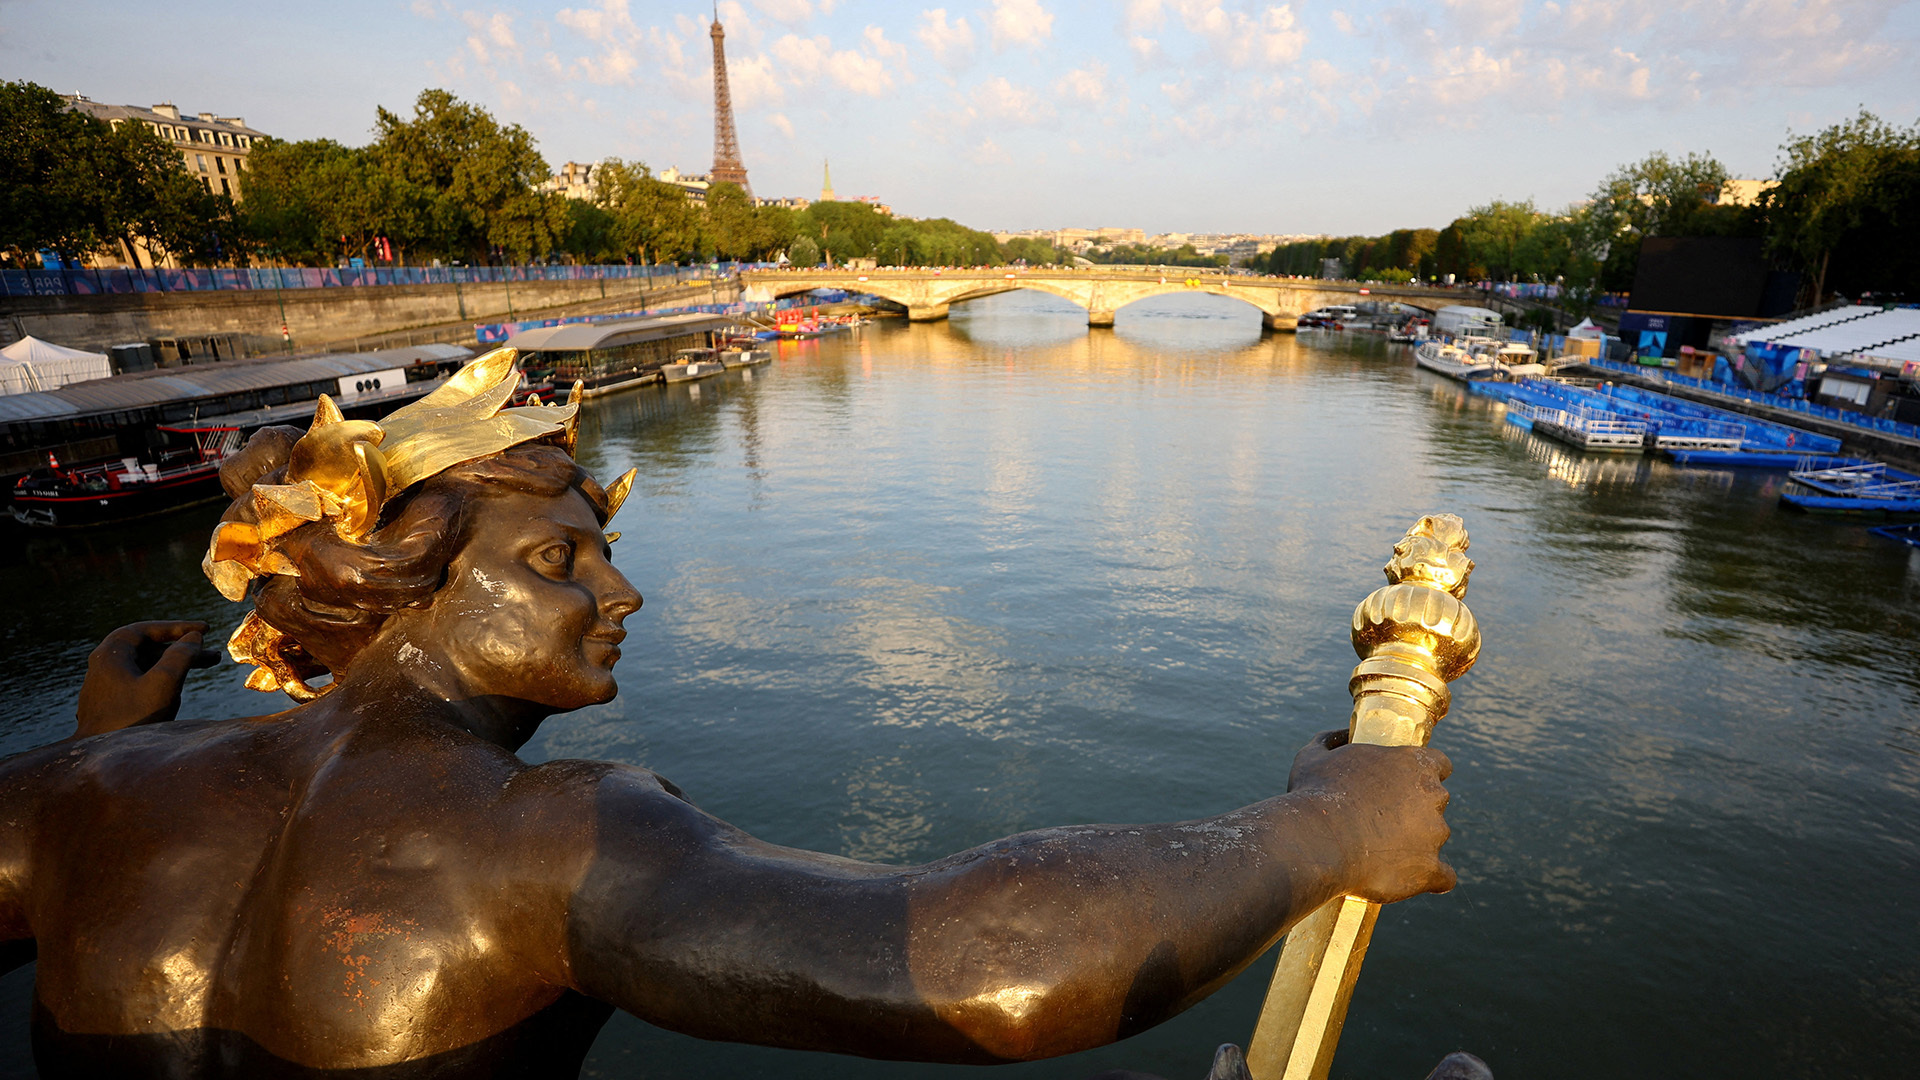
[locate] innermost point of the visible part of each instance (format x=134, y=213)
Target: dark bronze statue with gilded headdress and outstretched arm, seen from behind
x=372, y=883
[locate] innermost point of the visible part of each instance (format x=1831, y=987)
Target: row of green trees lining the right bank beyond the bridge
x=1844, y=214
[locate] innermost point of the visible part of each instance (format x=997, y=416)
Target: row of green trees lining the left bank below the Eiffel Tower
x=443, y=184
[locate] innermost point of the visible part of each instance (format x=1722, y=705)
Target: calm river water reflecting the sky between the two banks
x=923, y=587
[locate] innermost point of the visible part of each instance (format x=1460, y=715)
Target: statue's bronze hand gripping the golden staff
x=1387, y=808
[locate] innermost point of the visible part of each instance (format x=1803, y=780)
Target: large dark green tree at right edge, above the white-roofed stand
x=1848, y=207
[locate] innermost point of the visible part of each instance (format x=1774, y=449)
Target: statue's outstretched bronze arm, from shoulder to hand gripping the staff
x=1030, y=946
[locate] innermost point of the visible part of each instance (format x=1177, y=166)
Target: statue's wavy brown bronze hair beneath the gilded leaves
x=348, y=589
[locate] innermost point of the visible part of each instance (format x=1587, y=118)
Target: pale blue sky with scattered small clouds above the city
x=1191, y=116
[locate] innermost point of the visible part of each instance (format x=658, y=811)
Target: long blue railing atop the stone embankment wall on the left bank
x=128, y=282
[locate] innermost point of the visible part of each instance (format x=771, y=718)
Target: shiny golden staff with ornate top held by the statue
x=1414, y=637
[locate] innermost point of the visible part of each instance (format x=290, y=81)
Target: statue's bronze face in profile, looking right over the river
x=533, y=606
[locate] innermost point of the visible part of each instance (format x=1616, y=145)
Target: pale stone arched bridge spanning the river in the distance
x=1103, y=291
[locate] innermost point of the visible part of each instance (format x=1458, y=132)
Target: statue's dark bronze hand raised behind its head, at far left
x=135, y=675
